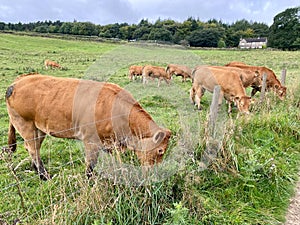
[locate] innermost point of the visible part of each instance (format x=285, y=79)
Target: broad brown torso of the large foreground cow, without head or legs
x=72, y=108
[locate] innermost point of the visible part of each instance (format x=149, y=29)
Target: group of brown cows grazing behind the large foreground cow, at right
x=233, y=78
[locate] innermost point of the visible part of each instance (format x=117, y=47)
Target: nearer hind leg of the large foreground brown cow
x=33, y=138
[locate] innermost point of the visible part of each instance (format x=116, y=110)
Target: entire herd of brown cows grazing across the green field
x=106, y=117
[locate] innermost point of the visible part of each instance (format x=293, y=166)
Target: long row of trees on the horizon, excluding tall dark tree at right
x=162, y=30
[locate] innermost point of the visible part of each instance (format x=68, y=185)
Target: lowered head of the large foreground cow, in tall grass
x=151, y=150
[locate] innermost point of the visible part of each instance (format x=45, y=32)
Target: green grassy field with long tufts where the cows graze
x=249, y=181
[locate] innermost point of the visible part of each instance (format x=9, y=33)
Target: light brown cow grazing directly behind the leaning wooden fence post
x=206, y=78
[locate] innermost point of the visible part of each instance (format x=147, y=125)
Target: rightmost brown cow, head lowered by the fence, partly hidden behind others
x=272, y=81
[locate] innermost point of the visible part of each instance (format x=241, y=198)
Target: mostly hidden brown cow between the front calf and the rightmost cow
x=248, y=77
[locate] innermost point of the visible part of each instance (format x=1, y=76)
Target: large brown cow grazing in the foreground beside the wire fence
x=102, y=115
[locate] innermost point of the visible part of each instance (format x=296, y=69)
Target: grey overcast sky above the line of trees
x=132, y=11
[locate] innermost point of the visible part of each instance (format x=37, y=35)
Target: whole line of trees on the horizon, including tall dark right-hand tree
x=193, y=32
